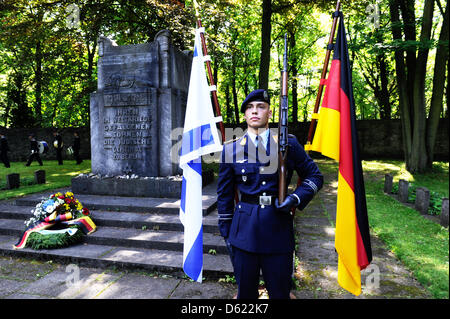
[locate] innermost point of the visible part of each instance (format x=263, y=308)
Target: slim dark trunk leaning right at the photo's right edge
x=438, y=88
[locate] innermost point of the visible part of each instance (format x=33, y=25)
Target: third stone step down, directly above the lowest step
x=130, y=237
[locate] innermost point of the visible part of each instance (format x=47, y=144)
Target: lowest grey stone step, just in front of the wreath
x=106, y=256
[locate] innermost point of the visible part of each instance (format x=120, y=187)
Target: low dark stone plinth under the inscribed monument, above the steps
x=133, y=186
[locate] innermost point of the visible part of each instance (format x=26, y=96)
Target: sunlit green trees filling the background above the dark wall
x=398, y=51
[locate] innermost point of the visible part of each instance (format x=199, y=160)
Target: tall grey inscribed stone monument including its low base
x=140, y=99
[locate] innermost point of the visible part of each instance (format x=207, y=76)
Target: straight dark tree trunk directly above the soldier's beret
x=266, y=30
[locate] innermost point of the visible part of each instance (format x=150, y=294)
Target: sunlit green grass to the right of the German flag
x=422, y=245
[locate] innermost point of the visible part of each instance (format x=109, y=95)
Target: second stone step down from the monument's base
x=122, y=219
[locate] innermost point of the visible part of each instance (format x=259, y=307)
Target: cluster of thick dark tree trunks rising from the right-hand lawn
x=411, y=57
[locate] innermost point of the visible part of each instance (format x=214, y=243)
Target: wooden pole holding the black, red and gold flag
x=322, y=79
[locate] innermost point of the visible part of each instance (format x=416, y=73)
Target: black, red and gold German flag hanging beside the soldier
x=336, y=137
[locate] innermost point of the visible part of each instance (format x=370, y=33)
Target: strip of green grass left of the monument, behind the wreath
x=56, y=176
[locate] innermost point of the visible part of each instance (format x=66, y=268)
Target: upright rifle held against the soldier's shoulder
x=283, y=129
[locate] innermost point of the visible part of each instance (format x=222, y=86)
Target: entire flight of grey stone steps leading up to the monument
x=133, y=233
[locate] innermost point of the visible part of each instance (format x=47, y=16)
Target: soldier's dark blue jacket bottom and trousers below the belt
x=252, y=230
